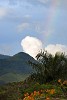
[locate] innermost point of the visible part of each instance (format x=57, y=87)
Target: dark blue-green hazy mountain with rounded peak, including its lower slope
x=15, y=67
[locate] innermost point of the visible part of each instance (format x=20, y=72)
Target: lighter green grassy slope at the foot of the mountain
x=13, y=77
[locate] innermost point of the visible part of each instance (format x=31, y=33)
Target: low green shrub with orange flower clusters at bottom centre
x=42, y=92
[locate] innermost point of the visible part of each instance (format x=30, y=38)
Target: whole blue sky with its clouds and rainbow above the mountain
x=32, y=25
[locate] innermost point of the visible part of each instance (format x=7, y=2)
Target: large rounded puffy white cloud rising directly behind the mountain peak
x=31, y=45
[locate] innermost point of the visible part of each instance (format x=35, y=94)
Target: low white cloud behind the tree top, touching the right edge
x=56, y=48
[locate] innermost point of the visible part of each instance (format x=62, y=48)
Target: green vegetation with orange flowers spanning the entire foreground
x=33, y=91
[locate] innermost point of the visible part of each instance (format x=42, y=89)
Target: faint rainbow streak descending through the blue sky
x=53, y=13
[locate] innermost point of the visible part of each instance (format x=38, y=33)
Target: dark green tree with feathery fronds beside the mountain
x=49, y=67
